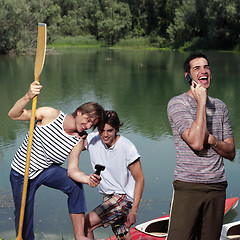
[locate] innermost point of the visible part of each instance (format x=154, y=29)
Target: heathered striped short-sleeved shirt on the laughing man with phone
x=205, y=166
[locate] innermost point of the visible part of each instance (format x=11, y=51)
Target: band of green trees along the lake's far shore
x=175, y=24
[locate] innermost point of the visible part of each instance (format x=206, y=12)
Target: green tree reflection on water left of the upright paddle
x=16, y=75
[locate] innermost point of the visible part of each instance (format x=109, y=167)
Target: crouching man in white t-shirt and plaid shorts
x=122, y=180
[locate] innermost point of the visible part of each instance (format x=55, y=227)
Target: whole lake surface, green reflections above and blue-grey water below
x=138, y=85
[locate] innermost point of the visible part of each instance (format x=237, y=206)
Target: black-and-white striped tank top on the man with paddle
x=50, y=145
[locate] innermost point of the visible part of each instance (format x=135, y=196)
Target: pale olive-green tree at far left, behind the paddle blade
x=18, y=24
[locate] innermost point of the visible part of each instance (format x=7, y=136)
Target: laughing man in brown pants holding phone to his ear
x=203, y=137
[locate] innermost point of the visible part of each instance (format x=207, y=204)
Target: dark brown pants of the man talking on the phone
x=197, y=211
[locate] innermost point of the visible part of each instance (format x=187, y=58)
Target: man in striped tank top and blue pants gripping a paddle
x=56, y=136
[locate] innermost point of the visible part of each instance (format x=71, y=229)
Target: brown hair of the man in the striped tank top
x=93, y=109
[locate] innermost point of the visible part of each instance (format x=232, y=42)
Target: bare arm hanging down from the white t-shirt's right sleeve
x=137, y=174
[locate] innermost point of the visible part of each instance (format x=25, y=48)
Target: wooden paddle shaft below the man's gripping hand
x=25, y=183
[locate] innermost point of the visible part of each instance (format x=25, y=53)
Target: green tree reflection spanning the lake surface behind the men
x=138, y=84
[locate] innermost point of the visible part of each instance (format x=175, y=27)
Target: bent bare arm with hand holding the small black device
x=73, y=169
